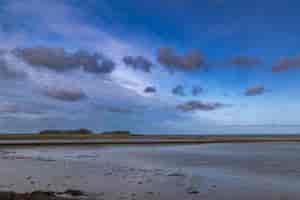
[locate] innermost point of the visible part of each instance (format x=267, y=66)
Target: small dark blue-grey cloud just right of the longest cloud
x=138, y=63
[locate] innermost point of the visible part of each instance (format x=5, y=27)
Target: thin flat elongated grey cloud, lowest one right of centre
x=199, y=106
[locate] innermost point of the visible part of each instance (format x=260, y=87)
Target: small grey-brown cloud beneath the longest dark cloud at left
x=65, y=94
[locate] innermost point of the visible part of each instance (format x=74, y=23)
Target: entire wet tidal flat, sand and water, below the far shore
x=206, y=171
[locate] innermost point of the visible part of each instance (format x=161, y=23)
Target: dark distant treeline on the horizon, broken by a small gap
x=81, y=132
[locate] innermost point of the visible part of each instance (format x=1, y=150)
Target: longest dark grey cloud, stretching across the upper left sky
x=60, y=60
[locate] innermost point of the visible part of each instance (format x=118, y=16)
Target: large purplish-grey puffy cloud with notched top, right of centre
x=192, y=59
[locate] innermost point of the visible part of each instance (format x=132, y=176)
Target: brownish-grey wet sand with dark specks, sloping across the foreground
x=118, y=180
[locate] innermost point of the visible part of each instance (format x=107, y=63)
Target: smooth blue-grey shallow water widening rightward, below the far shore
x=267, y=166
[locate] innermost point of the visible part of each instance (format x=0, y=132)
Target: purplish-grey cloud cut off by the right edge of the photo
x=286, y=63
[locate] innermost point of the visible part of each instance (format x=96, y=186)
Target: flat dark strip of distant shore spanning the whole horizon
x=103, y=139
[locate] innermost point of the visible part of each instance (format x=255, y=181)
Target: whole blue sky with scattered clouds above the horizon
x=173, y=66
